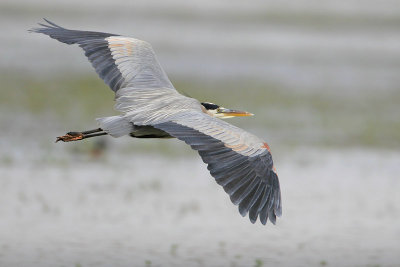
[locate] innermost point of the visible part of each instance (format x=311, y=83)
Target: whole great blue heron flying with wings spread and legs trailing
x=151, y=108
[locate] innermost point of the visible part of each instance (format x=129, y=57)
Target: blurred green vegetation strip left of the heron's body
x=64, y=97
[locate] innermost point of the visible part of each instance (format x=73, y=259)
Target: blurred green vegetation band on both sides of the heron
x=283, y=115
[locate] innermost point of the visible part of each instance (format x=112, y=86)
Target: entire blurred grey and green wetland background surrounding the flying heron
x=322, y=77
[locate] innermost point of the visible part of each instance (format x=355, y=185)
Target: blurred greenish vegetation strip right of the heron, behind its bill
x=324, y=118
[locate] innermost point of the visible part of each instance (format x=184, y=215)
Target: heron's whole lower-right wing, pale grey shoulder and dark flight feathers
x=240, y=162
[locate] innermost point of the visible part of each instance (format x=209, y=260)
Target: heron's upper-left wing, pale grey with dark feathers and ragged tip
x=120, y=61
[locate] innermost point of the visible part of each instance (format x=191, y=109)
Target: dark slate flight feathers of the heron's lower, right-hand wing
x=251, y=182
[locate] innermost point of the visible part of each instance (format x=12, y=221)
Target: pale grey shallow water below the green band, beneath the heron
x=75, y=205
